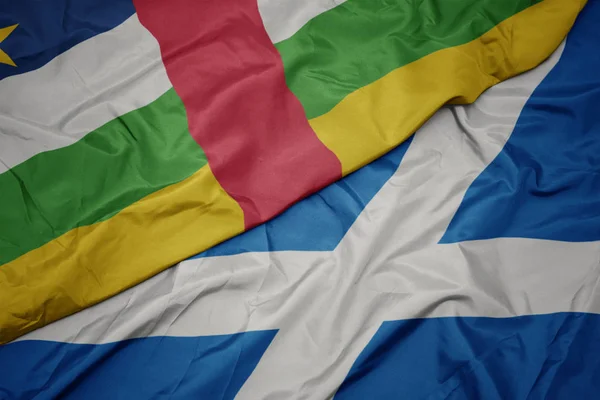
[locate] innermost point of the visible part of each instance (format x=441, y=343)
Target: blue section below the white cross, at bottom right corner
x=535, y=357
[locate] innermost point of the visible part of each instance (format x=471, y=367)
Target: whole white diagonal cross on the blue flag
x=389, y=266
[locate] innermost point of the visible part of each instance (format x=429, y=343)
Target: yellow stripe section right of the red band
x=374, y=119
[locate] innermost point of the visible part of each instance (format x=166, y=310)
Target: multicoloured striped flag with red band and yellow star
x=136, y=134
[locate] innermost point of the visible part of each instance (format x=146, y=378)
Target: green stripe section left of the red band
x=96, y=177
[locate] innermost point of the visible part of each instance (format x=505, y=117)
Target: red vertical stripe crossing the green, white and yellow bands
x=231, y=79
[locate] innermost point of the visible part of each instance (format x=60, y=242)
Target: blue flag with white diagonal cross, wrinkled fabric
x=462, y=264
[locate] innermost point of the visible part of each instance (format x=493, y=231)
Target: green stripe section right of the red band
x=360, y=41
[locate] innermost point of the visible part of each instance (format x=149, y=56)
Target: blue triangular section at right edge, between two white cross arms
x=545, y=184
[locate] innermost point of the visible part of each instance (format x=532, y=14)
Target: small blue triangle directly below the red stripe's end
x=319, y=222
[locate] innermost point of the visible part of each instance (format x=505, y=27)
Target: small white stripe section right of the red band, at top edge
x=283, y=18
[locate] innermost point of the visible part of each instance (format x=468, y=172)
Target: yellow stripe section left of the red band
x=92, y=263
